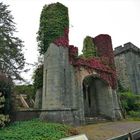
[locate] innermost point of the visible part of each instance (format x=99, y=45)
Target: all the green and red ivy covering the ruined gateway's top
x=97, y=52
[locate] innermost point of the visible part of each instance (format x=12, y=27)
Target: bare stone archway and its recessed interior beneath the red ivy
x=101, y=97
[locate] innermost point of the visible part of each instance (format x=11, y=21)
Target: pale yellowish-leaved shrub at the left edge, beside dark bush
x=3, y=118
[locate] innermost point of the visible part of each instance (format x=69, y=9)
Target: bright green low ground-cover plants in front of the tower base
x=34, y=130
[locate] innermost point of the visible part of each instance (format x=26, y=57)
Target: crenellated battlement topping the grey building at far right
x=125, y=48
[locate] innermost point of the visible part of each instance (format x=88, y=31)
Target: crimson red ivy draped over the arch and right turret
x=104, y=65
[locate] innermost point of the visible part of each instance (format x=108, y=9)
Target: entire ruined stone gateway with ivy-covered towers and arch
x=76, y=87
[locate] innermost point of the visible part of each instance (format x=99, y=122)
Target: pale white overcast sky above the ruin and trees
x=118, y=18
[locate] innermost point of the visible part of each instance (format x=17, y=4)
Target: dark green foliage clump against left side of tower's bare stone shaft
x=38, y=78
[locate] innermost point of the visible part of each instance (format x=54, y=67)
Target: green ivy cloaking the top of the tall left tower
x=53, y=24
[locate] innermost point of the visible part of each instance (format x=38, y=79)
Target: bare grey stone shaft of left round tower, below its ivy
x=57, y=98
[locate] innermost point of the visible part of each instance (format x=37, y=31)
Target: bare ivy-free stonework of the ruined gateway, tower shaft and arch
x=63, y=95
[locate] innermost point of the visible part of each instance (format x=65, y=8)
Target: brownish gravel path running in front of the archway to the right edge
x=107, y=130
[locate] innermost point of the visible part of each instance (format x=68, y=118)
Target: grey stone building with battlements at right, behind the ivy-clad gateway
x=127, y=60
